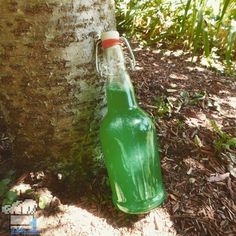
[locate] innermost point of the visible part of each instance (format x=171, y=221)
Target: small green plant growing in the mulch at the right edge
x=224, y=141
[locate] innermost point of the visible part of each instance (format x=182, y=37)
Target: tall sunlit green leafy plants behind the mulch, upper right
x=205, y=27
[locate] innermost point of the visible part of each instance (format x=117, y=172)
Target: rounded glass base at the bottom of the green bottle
x=141, y=207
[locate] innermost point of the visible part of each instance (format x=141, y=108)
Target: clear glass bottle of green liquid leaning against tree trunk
x=128, y=138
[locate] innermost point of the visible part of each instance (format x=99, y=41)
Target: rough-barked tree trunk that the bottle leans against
x=50, y=96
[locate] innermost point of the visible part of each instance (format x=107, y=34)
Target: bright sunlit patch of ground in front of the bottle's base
x=74, y=220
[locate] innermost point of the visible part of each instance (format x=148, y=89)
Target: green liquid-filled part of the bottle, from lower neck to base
x=129, y=145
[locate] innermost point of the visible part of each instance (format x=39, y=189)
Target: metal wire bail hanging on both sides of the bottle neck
x=100, y=67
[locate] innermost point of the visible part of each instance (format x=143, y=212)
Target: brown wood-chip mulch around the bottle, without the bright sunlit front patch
x=182, y=98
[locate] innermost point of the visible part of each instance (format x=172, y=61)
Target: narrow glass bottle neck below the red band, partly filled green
x=120, y=93
